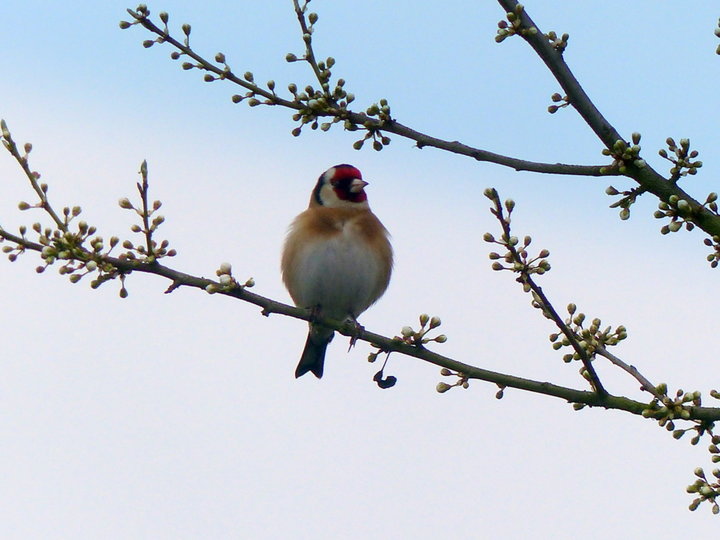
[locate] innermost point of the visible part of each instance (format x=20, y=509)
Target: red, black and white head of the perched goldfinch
x=340, y=186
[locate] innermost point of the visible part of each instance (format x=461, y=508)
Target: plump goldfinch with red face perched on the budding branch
x=336, y=260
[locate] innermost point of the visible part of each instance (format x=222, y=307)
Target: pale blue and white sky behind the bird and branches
x=178, y=416
